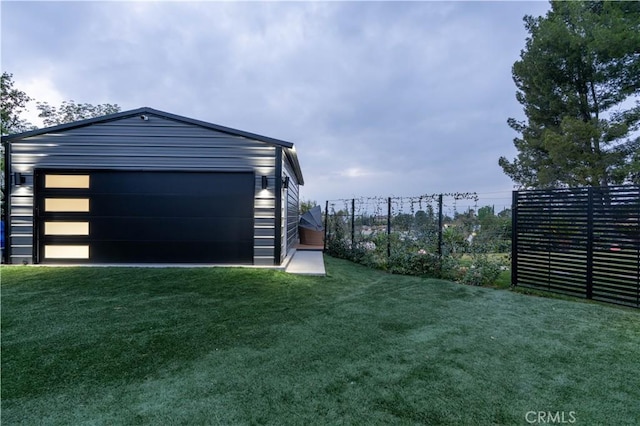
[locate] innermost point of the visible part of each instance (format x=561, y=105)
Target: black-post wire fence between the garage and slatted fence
x=392, y=228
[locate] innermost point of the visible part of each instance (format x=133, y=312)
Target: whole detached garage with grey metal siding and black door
x=146, y=186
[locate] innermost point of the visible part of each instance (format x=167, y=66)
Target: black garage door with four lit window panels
x=144, y=217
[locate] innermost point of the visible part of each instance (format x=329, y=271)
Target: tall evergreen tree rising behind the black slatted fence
x=578, y=79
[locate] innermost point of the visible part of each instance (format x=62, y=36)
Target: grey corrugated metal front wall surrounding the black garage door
x=134, y=144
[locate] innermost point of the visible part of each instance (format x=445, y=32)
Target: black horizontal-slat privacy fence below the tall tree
x=579, y=241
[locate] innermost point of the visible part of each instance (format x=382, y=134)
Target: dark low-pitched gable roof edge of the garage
x=287, y=146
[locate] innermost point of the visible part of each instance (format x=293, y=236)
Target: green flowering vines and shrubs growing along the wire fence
x=416, y=236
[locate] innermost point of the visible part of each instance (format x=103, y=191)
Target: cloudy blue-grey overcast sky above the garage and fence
x=380, y=98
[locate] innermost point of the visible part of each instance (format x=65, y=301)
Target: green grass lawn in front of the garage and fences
x=110, y=346
